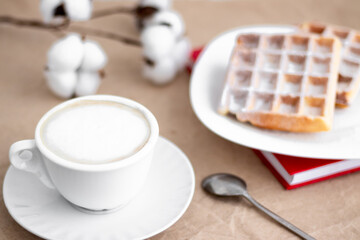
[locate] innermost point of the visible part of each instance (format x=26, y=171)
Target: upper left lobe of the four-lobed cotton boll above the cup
x=66, y=54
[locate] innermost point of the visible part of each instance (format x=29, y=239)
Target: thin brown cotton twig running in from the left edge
x=64, y=26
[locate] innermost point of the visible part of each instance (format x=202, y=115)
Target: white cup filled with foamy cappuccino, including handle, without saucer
x=96, y=151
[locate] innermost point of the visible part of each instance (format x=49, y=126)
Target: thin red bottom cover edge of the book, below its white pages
x=289, y=187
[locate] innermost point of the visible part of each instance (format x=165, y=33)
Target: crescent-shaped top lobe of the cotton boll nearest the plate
x=168, y=18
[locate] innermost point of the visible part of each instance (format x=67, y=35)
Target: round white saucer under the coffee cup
x=165, y=197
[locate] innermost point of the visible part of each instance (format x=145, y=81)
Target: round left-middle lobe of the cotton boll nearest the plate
x=157, y=41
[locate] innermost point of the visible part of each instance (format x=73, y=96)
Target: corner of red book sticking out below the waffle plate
x=293, y=172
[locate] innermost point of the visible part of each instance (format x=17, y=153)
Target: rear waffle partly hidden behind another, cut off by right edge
x=349, y=71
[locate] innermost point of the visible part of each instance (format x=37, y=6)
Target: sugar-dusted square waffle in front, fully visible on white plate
x=283, y=82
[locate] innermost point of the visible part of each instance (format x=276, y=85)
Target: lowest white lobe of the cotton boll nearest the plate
x=162, y=72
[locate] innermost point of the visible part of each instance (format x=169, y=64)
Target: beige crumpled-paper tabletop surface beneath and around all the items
x=327, y=210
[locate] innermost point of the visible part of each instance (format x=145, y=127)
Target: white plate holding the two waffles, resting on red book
x=343, y=141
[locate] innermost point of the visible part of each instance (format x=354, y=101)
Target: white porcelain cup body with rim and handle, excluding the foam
x=96, y=187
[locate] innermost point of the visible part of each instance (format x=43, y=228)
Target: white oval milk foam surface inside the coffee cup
x=95, y=132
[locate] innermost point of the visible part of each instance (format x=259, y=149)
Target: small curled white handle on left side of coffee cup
x=25, y=156
